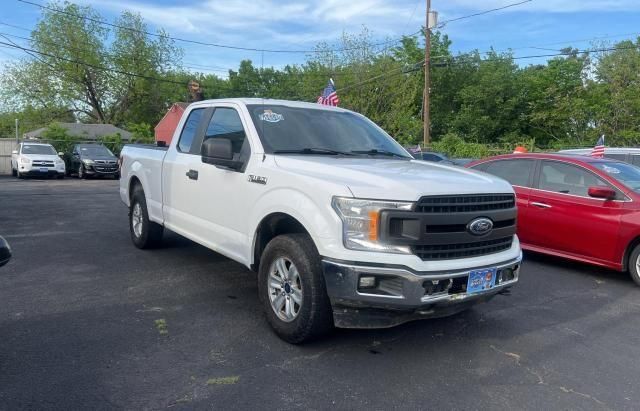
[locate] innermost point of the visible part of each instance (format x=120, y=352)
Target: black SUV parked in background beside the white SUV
x=88, y=160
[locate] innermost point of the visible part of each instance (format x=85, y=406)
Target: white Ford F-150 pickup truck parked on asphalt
x=342, y=225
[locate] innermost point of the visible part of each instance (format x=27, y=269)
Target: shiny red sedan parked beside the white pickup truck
x=575, y=207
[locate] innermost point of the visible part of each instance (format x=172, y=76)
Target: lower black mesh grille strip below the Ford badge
x=451, y=251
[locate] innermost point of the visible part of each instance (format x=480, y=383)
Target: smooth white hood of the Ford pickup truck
x=392, y=179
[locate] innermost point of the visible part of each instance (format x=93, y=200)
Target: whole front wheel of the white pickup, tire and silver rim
x=292, y=289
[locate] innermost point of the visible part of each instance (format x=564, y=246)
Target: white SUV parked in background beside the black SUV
x=36, y=159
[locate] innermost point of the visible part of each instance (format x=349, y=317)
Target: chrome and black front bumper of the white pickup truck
x=404, y=295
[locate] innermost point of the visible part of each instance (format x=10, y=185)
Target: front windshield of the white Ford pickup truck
x=296, y=130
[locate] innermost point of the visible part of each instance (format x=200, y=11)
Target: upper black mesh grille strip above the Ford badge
x=465, y=203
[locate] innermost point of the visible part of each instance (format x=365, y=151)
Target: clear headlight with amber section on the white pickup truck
x=361, y=223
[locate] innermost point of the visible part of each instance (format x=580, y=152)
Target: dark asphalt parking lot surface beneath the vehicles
x=87, y=321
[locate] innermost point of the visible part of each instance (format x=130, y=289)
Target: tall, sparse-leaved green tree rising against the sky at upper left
x=102, y=76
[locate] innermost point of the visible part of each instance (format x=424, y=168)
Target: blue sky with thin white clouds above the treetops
x=534, y=28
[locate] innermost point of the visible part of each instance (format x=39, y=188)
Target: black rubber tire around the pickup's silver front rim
x=315, y=317
